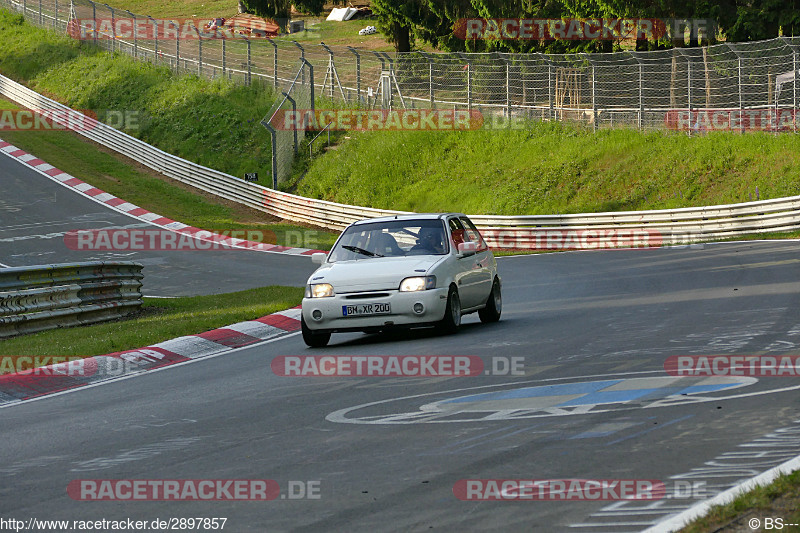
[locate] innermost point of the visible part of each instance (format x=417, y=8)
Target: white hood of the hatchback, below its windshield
x=375, y=274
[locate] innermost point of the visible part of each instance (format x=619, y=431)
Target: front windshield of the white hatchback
x=392, y=238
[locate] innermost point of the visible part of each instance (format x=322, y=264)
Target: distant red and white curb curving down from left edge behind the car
x=134, y=211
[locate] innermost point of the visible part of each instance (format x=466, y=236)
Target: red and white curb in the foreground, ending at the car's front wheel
x=52, y=379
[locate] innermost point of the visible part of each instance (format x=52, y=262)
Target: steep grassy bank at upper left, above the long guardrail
x=214, y=123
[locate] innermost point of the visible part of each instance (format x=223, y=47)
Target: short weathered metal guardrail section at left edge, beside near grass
x=36, y=298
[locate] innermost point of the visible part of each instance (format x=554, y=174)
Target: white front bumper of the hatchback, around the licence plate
x=326, y=313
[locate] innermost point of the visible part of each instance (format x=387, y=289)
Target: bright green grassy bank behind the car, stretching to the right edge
x=554, y=168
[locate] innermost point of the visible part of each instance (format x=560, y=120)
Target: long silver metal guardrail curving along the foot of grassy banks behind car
x=671, y=226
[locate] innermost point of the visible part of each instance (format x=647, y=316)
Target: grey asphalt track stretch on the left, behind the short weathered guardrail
x=35, y=212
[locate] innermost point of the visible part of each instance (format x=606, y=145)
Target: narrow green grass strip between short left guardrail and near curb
x=159, y=320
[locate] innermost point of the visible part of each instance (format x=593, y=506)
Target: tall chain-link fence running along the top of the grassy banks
x=747, y=86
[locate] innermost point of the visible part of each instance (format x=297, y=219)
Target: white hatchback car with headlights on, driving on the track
x=401, y=271
